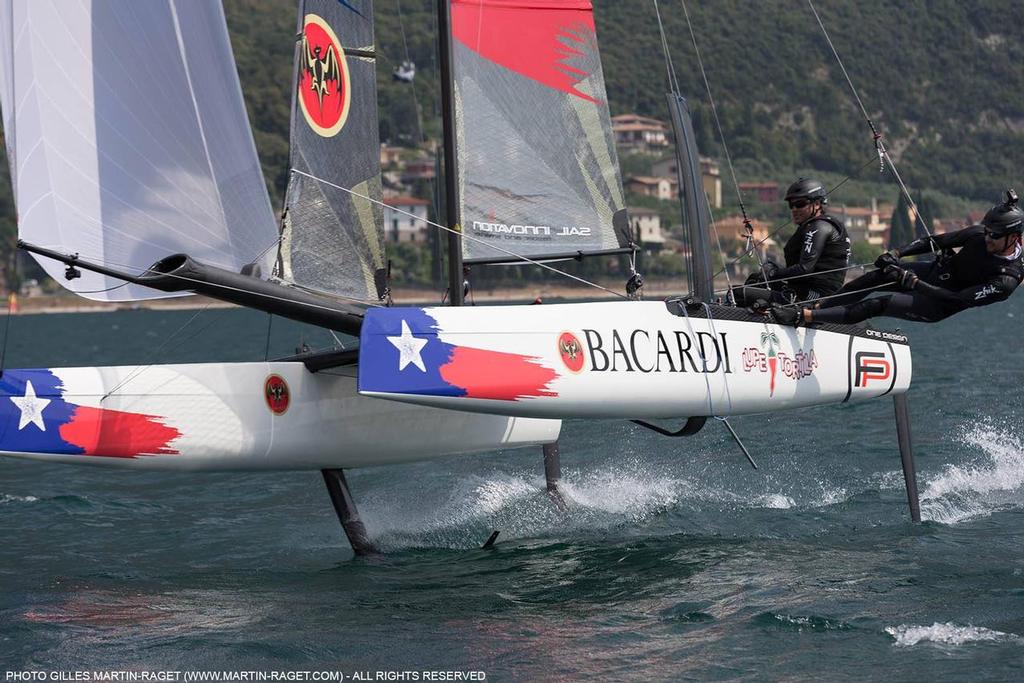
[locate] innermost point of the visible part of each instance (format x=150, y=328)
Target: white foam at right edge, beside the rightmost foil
x=965, y=492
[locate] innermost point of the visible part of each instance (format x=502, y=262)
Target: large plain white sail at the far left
x=129, y=139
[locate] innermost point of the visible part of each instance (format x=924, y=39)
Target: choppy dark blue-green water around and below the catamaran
x=675, y=561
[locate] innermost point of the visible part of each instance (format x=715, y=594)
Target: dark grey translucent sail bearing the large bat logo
x=333, y=236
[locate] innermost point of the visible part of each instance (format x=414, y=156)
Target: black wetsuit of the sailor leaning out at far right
x=954, y=282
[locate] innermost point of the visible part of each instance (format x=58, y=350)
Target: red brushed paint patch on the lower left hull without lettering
x=117, y=435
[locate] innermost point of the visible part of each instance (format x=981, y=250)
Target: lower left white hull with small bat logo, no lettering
x=234, y=417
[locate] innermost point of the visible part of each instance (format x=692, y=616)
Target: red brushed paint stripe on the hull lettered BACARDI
x=496, y=375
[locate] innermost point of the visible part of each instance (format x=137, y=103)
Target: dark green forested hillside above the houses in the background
x=943, y=80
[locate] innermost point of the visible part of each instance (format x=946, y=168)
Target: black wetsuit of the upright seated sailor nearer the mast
x=817, y=257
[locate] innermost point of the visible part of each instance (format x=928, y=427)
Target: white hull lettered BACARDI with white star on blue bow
x=621, y=360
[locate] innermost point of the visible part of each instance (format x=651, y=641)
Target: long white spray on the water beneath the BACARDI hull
x=629, y=494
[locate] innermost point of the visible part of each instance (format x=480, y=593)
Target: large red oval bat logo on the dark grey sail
x=324, y=87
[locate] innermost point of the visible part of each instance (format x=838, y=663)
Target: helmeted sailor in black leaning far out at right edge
x=988, y=269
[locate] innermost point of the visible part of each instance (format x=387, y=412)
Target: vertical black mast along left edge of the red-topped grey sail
x=452, y=205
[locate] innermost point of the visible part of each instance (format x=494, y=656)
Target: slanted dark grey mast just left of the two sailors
x=692, y=197
